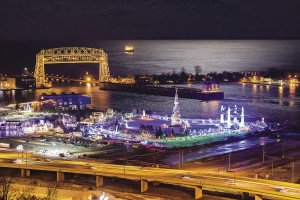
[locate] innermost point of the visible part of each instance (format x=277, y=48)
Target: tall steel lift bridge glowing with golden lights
x=70, y=55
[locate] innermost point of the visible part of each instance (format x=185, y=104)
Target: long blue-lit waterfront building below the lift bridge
x=67, y=101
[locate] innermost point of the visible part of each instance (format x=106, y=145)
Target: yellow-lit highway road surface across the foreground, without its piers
x=226, y=183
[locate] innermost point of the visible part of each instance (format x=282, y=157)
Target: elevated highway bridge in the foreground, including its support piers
x=199, y=181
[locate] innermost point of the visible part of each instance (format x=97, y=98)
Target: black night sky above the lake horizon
x=151, y=19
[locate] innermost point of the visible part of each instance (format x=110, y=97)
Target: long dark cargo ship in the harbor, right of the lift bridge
x=161, y=90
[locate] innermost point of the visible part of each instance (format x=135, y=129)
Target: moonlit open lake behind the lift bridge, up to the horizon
x=157, y=56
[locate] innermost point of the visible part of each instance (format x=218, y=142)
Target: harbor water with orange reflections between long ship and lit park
x=271, y=102
